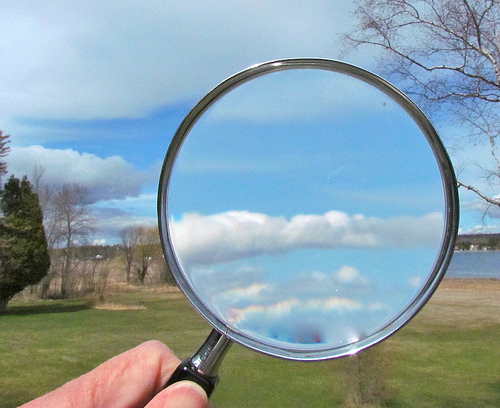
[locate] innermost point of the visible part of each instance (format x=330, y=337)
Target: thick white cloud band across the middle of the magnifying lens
x=233, y=235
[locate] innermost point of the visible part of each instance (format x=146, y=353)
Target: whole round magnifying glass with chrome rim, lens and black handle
x=307, y=209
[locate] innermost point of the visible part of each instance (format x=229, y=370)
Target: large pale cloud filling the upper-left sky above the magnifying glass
x=74, y=60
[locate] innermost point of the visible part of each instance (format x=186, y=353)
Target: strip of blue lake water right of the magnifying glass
x=474, y=264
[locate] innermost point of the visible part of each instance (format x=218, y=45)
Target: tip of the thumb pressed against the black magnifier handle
x=184, y=394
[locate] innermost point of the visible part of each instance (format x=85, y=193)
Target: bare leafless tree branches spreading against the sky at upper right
x=446, y=52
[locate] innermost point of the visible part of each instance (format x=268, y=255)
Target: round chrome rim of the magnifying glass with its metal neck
x=208, y=357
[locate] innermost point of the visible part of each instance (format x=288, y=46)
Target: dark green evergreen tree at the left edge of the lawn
x=24, y=258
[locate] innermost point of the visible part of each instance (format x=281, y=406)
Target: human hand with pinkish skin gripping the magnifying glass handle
x=133, y=379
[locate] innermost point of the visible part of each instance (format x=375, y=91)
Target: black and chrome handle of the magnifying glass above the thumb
x=203, y=366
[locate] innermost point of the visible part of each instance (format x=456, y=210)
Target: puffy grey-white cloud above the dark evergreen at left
x=111, y=177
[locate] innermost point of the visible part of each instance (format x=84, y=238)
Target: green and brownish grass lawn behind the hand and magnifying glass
x=448, y=356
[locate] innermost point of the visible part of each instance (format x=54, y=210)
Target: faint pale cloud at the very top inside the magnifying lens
x=300, y=96
